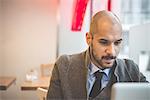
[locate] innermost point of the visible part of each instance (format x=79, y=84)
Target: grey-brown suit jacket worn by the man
x=69, y=76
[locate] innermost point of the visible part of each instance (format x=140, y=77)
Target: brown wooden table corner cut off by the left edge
x=6, y=81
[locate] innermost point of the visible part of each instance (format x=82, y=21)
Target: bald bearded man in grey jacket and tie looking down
x=90, y=74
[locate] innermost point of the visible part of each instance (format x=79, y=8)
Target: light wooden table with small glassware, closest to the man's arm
x=41, y=82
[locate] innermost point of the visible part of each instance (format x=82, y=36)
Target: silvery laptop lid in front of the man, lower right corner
x=130, y=91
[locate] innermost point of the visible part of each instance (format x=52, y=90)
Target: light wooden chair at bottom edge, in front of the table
x=42, y=93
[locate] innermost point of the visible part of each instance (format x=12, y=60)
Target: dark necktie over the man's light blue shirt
x=97, y=84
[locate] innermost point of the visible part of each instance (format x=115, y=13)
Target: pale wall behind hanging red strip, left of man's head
x=71, y=42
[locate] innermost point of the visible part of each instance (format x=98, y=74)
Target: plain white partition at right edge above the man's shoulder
x=139, y=40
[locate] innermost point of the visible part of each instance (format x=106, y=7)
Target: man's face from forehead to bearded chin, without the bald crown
x=106, y=44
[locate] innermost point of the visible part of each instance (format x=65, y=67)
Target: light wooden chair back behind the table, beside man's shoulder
x=46, y=69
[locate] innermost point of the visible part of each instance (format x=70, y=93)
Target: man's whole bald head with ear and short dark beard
x=104, y=38
